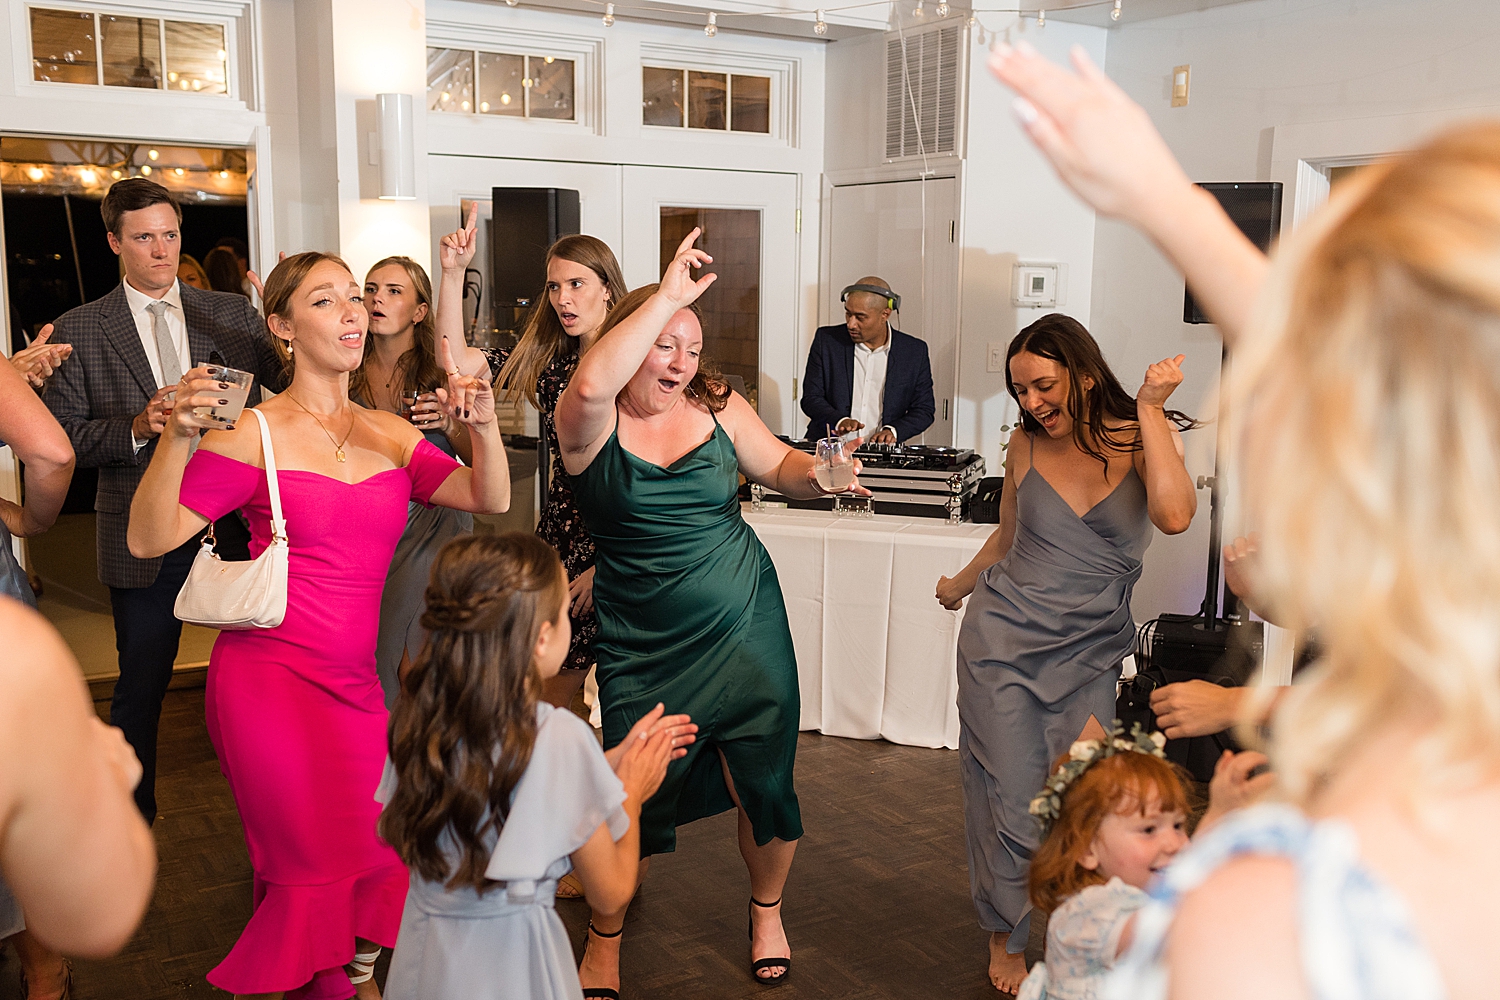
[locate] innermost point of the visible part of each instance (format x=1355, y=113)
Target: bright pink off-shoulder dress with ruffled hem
x=298, y=719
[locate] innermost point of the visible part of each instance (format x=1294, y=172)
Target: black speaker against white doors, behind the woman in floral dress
x=526, y=223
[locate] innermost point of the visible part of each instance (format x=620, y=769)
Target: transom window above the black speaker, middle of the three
x=518, y=86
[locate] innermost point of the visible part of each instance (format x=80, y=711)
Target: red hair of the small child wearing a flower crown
x=1121, y=783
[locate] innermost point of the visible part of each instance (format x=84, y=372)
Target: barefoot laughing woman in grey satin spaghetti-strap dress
x=1087, y=476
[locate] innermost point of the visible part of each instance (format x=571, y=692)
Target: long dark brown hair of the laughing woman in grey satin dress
x=1063, y=340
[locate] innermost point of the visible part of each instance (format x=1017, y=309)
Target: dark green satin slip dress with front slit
x=691, y=615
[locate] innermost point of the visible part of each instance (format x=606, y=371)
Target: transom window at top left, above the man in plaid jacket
x=109, y=50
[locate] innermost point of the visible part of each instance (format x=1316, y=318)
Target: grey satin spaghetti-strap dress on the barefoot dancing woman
x=1039, y=653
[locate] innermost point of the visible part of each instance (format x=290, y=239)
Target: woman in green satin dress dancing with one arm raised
x=691, y=611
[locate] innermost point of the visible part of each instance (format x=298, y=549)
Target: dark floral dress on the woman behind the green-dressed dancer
x=560, y=525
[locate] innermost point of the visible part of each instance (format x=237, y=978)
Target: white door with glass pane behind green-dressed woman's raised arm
x=751, y=227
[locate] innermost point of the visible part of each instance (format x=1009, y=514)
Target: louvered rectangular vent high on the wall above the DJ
x=923, y=88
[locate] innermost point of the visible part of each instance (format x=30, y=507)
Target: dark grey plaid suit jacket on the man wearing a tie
x=107, y=382
